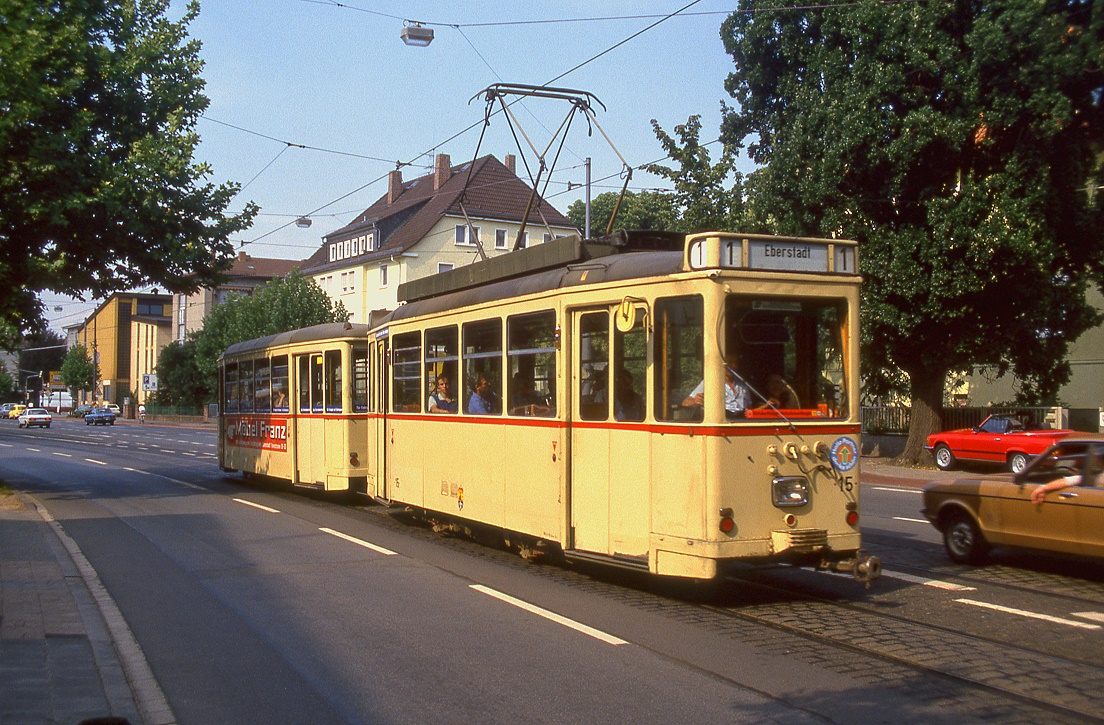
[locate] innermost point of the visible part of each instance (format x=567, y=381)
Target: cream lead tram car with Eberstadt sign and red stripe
x=657, y=401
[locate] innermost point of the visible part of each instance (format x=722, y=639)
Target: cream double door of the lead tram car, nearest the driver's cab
x=610, y=460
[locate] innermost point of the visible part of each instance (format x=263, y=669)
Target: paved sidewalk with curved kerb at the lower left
x=58, y=662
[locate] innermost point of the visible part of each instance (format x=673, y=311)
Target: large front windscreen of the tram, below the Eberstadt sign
x=789, y=355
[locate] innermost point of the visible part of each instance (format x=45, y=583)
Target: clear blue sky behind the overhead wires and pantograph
x=339, y=79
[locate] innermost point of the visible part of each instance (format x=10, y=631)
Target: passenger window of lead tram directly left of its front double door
x=532, y=357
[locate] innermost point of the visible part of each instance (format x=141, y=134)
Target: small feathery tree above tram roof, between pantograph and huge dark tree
x=704, y=200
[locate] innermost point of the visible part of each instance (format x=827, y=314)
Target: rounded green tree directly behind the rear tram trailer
x=295, y=302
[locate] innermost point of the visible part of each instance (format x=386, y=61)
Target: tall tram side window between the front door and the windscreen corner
x=680, y=350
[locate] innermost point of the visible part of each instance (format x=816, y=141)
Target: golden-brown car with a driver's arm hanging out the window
x=975, y=515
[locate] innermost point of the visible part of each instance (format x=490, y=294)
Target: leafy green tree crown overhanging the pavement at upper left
x=99, y=193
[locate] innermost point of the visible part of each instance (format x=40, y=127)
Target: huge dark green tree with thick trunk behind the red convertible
x=956, y=142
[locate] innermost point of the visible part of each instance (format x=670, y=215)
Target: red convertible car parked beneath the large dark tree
x=1000, y=440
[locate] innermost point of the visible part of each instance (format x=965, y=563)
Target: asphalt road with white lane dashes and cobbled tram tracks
x=253, y=604
